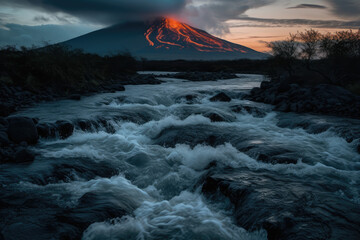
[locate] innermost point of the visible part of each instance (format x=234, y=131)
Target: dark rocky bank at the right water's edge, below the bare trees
x=322, y=98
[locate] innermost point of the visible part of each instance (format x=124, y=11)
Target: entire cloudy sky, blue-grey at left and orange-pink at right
x=247, y=22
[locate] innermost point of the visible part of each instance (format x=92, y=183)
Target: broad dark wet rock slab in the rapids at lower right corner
x=285, y=206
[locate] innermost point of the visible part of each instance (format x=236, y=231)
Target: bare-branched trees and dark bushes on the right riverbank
x=331, y=57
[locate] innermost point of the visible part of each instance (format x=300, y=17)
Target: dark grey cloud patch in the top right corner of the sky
x=346, y=8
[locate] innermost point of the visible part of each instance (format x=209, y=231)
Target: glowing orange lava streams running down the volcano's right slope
x=169, y=33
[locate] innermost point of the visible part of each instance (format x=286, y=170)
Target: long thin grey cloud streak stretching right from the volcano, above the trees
x=270, y=22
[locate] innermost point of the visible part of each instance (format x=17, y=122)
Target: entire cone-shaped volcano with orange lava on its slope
x=161, y=39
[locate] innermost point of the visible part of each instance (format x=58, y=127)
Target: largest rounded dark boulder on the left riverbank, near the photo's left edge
x=22, y=129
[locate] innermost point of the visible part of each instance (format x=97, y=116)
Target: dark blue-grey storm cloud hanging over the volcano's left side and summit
x=104, y=11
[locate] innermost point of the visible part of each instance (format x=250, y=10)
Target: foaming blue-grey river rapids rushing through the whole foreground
x=142, y=176
